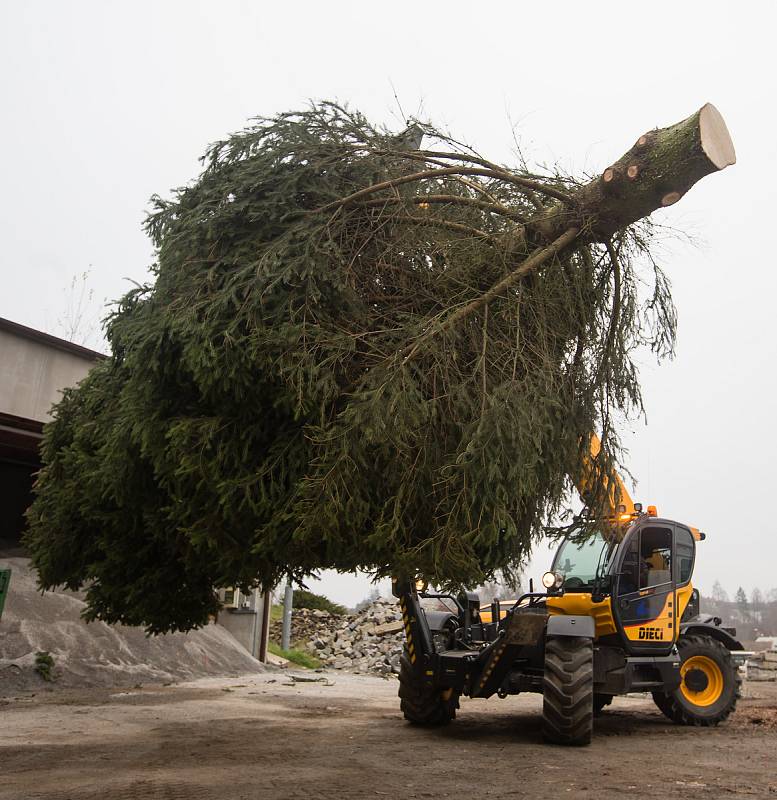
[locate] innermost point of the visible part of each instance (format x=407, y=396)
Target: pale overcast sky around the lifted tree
x=105, y=103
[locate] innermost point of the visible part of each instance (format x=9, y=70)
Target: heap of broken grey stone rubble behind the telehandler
x=368, y=641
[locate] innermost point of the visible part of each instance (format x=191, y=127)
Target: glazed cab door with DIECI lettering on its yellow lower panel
x=644, y=600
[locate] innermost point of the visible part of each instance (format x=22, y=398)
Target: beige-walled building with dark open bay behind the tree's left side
x=34, y=369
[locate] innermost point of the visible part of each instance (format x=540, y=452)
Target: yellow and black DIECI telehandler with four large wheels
x=618, y=614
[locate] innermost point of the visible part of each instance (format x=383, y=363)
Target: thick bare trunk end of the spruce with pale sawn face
x=659, y=169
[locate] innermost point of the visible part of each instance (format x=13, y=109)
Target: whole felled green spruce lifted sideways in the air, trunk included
x=359, y=351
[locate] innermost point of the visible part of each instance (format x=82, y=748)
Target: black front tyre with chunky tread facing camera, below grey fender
x=568, y=690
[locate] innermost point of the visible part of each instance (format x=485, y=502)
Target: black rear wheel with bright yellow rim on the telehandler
x=681, y=706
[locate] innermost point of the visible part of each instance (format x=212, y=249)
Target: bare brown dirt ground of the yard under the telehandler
x=264, y=736
